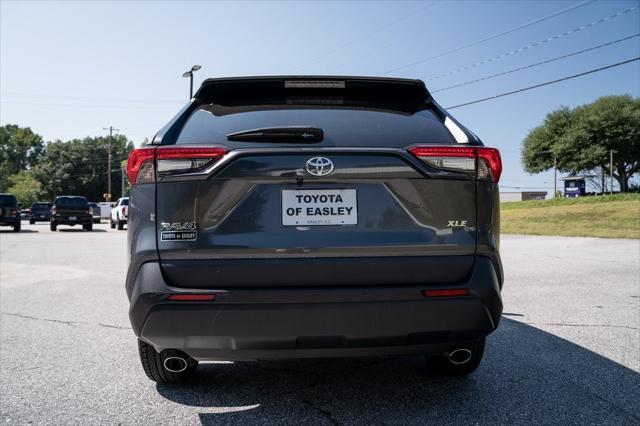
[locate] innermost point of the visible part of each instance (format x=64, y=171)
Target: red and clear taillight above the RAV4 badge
x=140, y=167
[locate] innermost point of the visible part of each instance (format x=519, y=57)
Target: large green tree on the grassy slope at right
x=582, y=139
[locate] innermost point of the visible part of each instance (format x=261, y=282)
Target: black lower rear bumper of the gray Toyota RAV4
x=262, y=323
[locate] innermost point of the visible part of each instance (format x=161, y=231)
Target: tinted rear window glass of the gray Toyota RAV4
x=341, y=126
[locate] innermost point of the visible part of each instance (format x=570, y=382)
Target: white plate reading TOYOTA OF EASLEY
x=319, y=207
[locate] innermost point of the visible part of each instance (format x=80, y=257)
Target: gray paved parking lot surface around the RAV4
x=567, y=350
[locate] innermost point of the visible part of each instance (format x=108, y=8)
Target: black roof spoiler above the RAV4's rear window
x=397, y=93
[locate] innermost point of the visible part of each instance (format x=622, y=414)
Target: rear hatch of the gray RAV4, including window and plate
x=314, y=188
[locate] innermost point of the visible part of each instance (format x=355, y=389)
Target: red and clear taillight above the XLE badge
x=484, y=162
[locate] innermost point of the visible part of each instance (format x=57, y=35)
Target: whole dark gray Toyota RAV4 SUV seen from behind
x=295, y=217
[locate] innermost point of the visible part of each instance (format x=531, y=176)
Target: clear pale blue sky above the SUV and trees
x=70, y=69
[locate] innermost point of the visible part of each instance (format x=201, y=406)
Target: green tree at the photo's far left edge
x=20, y=149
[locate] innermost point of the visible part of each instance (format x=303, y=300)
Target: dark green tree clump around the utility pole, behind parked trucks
x=79, y=166
